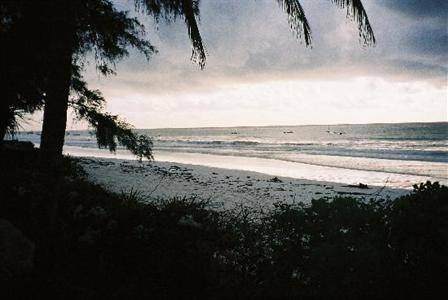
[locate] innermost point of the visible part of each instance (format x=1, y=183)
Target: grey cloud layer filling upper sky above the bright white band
x=251, y=40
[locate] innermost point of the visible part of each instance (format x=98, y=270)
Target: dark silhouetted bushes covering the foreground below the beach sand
x=93, y=244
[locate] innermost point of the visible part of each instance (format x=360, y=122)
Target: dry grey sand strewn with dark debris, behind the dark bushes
x=224, y=188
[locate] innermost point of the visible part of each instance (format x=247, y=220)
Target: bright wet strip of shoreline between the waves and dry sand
x=273, y=167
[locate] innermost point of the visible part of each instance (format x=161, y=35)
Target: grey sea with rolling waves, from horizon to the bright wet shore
x=405, y=151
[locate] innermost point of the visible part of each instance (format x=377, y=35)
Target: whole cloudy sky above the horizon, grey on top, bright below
x=258, y=73
